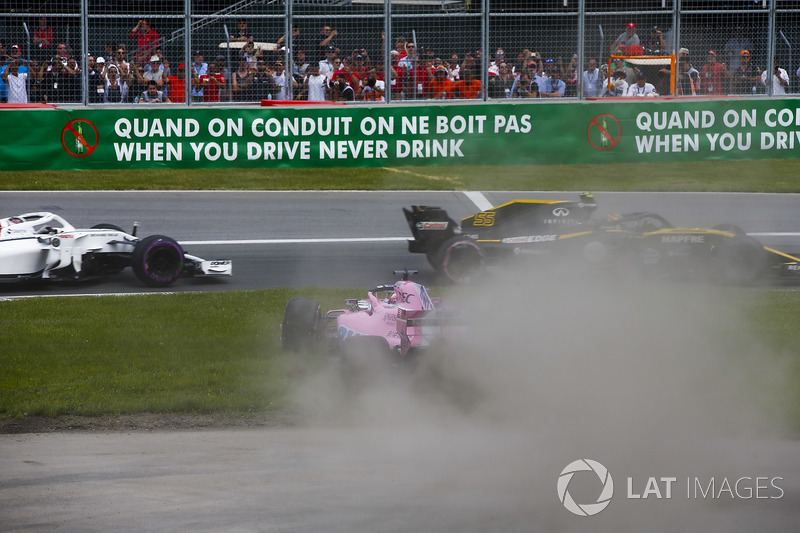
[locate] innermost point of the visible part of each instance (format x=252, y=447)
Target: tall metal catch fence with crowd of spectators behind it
x=211, y=52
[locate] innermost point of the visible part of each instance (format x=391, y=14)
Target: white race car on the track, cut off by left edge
x=45, y=246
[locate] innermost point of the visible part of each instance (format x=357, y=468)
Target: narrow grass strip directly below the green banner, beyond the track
x=717, y=176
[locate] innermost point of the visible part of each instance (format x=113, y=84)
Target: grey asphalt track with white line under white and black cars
x=348, y=238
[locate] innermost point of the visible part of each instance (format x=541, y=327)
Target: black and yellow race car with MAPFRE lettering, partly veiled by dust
x=565, y=231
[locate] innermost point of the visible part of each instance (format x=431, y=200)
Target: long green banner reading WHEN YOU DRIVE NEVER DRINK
x=329, y=136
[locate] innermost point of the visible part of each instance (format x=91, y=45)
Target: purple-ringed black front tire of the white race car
x=157, y=260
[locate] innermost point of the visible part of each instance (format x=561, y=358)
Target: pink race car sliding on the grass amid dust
x=399, y=319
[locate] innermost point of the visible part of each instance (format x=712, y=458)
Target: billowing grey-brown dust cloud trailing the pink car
x=651, y=380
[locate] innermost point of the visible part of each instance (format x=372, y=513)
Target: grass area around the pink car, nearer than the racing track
x=219, y=352
